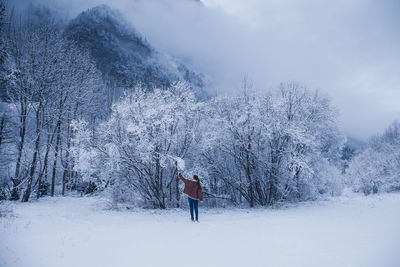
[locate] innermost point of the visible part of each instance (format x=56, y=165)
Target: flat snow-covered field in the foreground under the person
x=349, y=231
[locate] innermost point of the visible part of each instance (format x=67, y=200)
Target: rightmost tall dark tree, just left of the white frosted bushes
x=82, y=100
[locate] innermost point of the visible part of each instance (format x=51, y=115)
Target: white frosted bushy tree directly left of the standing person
x=139, y=145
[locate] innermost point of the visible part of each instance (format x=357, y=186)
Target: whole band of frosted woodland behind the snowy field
x=67, y=128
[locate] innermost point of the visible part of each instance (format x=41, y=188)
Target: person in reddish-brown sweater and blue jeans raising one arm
x=195, y=194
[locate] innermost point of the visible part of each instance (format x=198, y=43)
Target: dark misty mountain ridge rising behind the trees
x=123, y=56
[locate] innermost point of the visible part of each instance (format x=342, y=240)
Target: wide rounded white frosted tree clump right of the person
x=269, y=147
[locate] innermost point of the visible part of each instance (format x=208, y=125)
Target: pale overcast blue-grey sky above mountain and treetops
x=347, y=48
